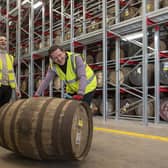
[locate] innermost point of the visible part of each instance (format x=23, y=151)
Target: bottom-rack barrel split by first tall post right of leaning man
x=111, y=107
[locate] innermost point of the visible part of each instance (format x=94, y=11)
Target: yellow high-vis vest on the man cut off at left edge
x=11, y=75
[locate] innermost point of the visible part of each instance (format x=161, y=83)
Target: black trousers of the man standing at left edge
x=5, y=94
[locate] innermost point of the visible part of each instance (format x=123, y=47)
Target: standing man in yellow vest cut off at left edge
x=7, y=75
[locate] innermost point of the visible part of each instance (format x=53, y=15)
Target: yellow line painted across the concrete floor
x=134, y=134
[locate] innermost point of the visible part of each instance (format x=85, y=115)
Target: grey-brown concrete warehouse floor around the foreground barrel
x=109, y=149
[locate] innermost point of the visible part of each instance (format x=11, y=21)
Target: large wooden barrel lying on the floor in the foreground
x=47, y=128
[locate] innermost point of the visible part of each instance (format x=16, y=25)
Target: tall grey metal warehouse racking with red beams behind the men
x=77, y=24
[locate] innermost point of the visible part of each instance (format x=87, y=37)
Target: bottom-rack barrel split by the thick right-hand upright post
x=150, y=108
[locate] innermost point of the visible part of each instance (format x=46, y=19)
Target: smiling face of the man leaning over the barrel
x=58, y=57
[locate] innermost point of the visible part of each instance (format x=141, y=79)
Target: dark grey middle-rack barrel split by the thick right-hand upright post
x=135, y=77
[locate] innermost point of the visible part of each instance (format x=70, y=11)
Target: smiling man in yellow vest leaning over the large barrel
x=79, y=78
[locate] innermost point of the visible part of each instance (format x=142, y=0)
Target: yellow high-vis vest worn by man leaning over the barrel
x=71, y=79
